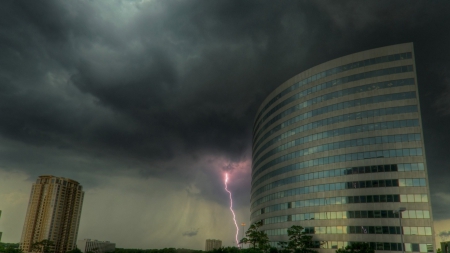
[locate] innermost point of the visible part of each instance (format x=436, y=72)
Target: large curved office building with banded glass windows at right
x=338, y=149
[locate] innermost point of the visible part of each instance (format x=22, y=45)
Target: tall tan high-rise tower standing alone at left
x=53, y=213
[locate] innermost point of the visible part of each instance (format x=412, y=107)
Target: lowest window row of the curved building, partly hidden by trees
x=389, y=246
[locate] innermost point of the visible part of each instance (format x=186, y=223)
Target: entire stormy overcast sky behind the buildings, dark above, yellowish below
x=148, y=103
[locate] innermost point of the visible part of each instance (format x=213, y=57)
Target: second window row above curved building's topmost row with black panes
x=339, y=145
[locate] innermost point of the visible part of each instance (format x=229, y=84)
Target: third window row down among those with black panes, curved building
x=404, y=198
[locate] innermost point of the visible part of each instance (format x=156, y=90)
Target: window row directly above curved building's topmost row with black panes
x=348, y=157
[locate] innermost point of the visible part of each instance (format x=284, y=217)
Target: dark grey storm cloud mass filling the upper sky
x=157, y=85
